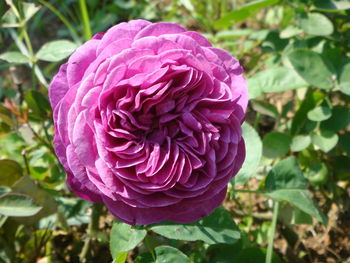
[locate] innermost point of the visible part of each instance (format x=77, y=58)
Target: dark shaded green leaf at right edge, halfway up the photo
x=340, y=119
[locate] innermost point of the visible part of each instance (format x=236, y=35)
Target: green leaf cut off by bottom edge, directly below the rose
x=167, y=254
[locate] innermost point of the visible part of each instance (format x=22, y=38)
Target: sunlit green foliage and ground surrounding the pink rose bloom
x=290, y=201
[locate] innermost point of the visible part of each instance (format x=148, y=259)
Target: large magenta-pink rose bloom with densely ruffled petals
x=148, y=121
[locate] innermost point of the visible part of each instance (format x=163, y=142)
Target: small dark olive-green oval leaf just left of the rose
x=37, y=102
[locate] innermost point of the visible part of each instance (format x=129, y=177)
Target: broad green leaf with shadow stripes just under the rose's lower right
x=213, y=229
